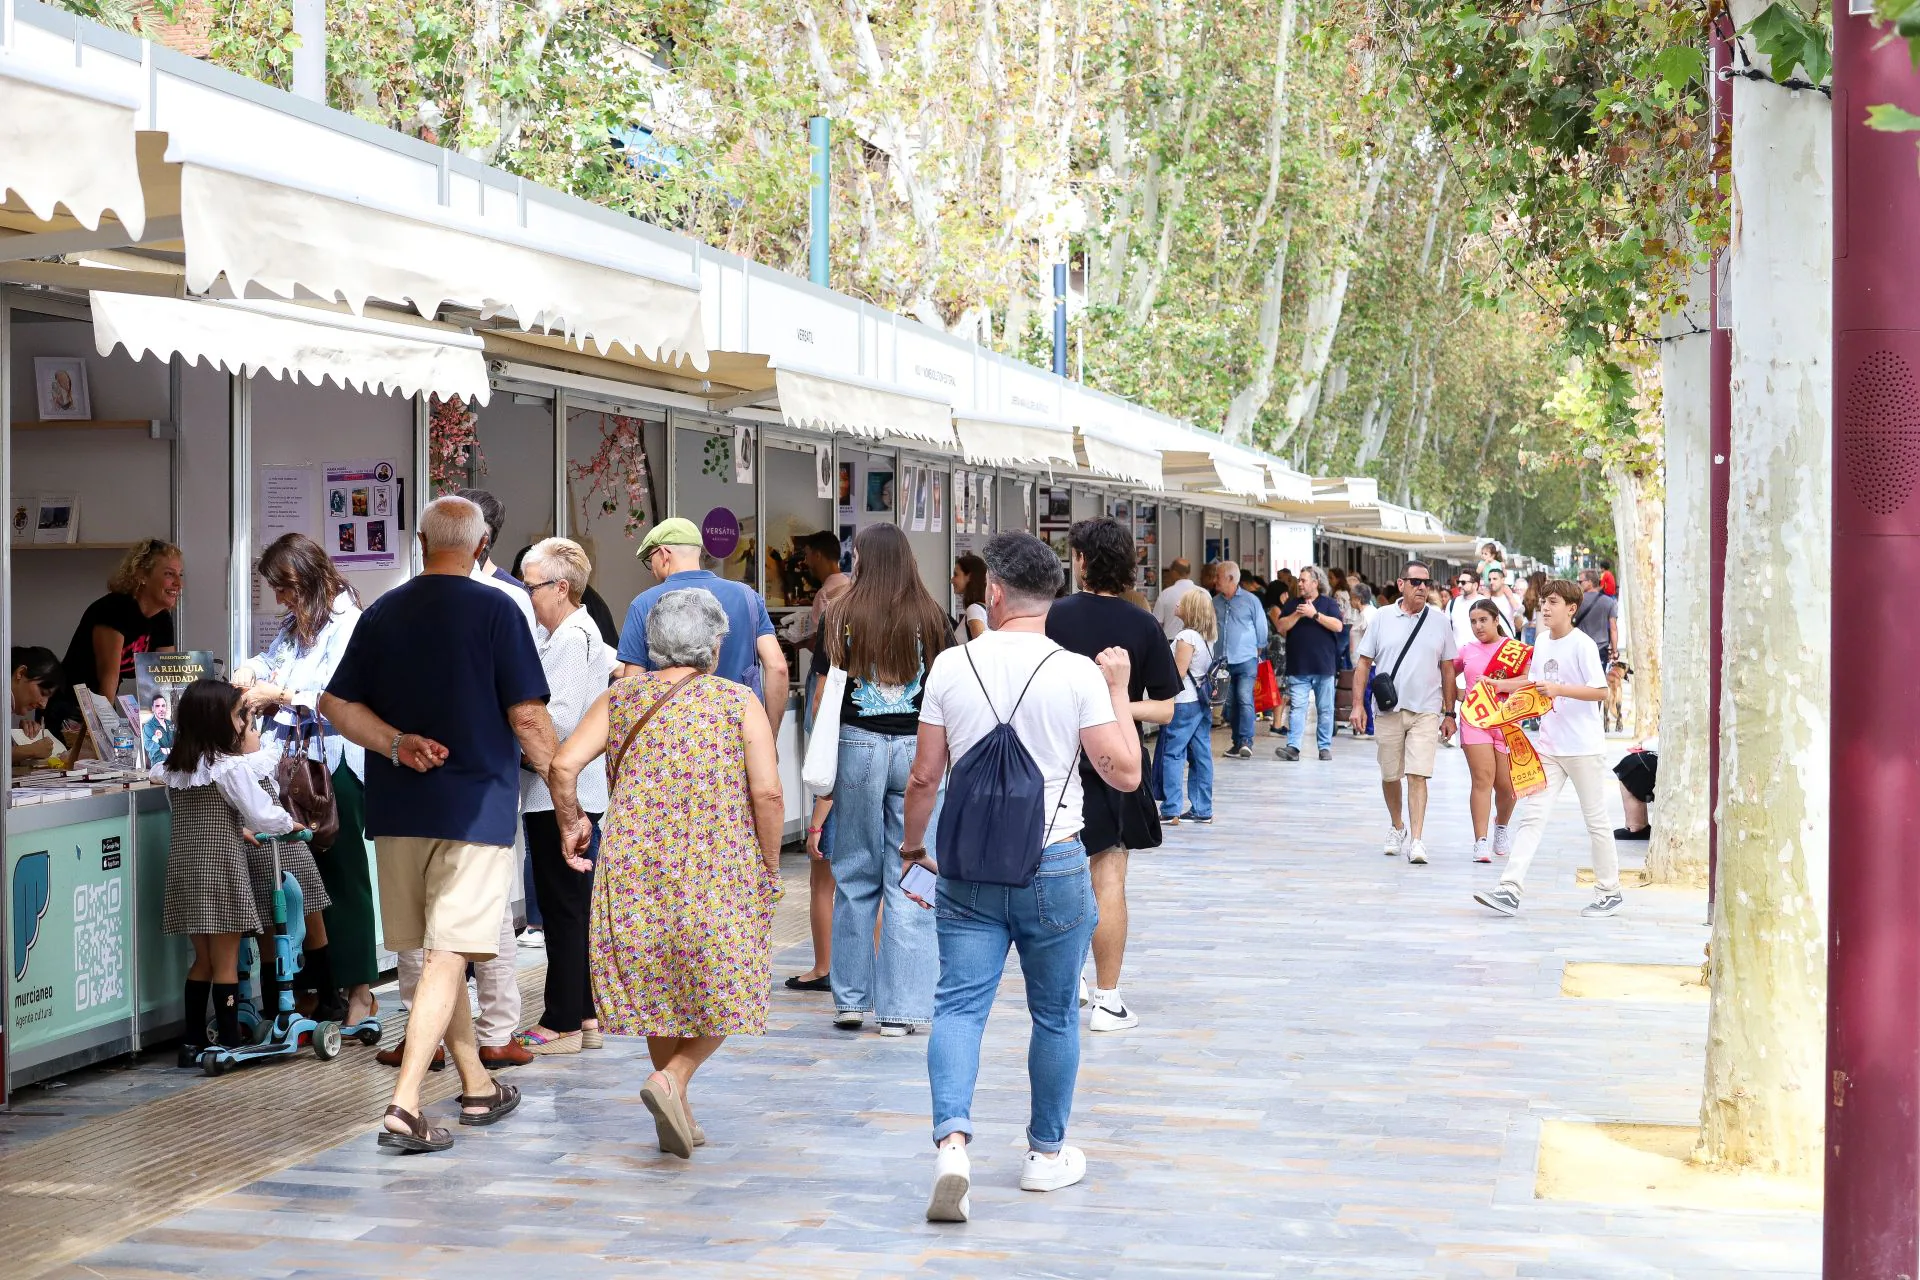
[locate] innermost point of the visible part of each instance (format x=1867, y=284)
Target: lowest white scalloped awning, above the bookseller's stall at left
x=285, y=341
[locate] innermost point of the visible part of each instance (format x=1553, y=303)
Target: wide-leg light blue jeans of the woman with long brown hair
x=869, y=826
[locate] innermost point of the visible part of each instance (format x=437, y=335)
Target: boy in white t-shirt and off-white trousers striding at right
x=1573, y=746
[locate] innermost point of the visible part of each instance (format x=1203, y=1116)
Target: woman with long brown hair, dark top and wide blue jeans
x=884, y=632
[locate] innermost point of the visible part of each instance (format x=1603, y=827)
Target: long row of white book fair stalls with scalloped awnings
x=228, y=314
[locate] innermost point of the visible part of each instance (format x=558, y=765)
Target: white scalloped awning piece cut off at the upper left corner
x=68, y=145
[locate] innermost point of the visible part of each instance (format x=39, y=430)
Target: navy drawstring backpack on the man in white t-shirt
x=994, y=818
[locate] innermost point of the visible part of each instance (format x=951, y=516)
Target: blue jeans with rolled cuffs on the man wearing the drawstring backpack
x=1051, y=926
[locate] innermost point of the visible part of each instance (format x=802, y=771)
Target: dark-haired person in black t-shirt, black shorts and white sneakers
x=1115, y=822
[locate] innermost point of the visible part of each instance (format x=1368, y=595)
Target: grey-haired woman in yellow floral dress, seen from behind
x=690, y=855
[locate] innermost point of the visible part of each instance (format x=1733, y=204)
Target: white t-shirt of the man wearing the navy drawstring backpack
x=1070, y=696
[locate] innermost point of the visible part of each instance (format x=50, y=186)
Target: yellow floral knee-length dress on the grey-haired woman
x=683, y=901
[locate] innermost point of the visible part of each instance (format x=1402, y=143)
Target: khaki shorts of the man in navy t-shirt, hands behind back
x=443, y=895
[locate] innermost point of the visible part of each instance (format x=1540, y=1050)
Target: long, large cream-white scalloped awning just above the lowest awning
x=337, y=247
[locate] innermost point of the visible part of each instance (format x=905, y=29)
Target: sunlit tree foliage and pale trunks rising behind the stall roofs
x=1362, y=233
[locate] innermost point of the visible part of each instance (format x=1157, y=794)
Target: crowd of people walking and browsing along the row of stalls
x=988, y=780
